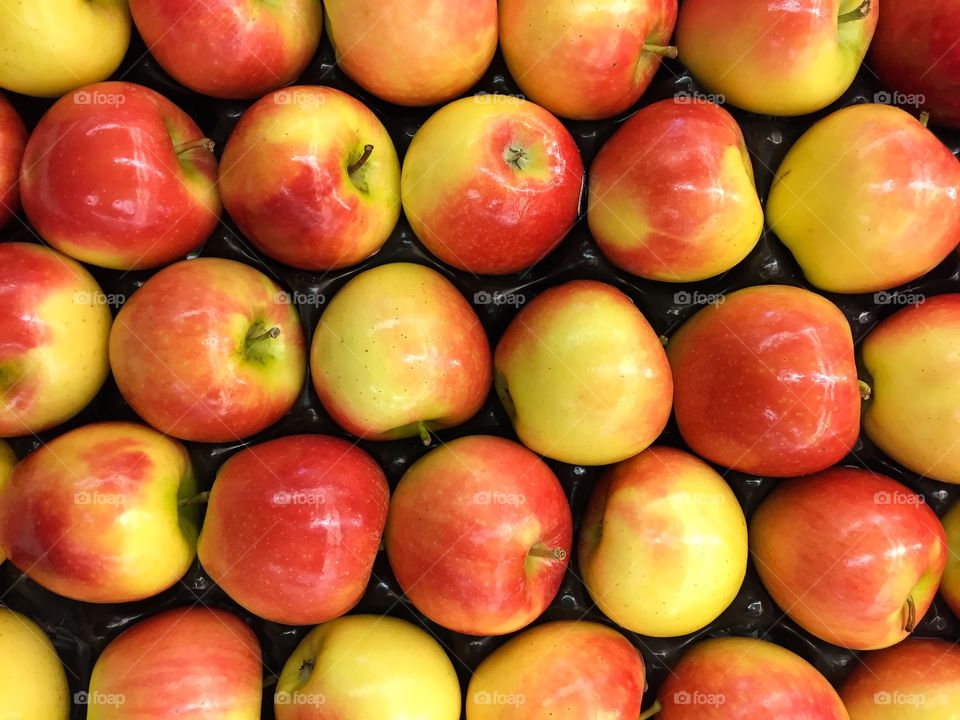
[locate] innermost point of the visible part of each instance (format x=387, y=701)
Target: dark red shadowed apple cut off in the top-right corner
x=915, y=52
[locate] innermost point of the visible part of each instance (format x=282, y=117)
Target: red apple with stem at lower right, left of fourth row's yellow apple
x=478, y=535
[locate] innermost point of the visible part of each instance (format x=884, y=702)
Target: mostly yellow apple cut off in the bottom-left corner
x=33, y=684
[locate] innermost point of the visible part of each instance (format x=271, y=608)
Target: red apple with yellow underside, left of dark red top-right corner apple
x=774, y=58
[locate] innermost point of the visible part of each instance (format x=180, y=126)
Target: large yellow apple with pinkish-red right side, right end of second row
x=898, y=215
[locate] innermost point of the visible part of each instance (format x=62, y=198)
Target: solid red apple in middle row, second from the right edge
x=766, y=382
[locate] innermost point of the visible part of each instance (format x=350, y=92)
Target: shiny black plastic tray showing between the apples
x=80, y=631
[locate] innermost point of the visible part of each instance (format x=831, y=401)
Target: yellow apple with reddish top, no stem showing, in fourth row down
x=665, y=527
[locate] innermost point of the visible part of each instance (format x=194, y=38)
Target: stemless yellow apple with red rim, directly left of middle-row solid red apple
x=583, y=375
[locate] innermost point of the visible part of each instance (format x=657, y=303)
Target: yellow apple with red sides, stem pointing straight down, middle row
x=399, y=352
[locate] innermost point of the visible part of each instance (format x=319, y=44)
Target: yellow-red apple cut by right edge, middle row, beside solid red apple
x=914, y=414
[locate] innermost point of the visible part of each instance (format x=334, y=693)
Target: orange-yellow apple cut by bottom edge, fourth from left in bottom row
x=569, y=670
